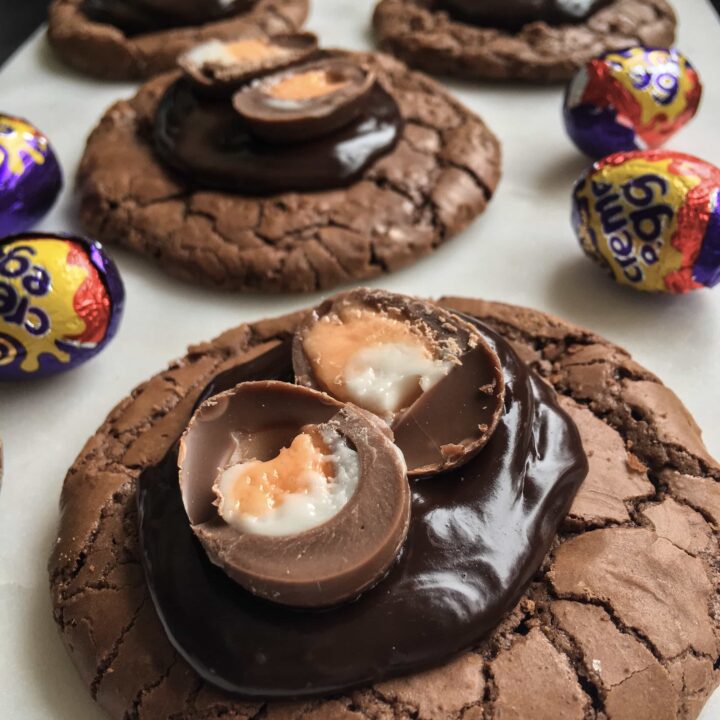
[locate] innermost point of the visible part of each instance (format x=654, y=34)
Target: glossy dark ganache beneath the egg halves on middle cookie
x=206, y=141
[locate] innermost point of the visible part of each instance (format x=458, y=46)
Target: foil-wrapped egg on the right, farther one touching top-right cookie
x=632, y=99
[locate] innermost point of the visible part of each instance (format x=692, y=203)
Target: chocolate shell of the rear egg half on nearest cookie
x=473, y=387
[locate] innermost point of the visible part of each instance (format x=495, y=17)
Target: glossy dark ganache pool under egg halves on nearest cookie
x=477, y=536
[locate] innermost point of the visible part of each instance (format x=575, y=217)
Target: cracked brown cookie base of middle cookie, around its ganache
x=439, y=176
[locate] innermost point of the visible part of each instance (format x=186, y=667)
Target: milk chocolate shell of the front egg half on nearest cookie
x=320, y=566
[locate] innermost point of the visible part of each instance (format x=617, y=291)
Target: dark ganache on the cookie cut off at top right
x=513, y=14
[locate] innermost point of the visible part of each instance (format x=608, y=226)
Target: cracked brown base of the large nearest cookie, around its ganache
x=622, y=621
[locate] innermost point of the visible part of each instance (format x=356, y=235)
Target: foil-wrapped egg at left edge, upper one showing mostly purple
x=30, y=176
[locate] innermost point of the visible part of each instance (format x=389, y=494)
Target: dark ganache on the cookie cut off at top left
x=135, y=17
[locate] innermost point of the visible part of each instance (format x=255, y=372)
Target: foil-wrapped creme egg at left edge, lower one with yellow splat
x=61, y=299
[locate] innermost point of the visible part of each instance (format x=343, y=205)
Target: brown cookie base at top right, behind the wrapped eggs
x=432, y=41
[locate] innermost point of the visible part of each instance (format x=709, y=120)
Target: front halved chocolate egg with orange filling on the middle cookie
x=307, y=101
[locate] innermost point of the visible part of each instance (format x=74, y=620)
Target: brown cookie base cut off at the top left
x=106, y=52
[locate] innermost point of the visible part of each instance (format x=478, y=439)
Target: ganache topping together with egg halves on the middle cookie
x=303, y=128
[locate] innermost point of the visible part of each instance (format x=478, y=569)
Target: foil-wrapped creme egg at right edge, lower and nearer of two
x=652, y=218
